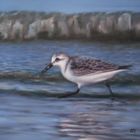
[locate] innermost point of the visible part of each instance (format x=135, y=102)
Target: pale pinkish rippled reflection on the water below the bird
x=90, y=124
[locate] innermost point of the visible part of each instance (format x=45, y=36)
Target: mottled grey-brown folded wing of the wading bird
x=84, y=65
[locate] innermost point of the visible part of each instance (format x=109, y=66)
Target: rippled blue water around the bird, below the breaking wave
x=29, y=108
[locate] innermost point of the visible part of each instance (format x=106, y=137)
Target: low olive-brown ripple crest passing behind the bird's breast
x=34, y=77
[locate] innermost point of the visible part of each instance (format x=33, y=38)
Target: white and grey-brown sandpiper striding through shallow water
x=84, y=70
